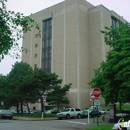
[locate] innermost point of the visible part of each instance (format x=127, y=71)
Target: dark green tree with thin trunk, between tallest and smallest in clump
x=43, y=82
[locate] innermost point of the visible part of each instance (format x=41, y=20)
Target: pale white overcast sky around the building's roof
x=122, y=7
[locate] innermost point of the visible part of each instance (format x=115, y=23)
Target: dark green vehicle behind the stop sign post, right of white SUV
x=92, y=113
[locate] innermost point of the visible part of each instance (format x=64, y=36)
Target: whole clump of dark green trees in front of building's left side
x=24, y=85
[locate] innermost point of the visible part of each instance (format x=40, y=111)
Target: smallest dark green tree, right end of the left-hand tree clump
x=57, y=96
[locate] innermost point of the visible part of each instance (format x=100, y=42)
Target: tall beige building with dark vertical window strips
x=71, y=44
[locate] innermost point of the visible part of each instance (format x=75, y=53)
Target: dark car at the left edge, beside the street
x=6, y=114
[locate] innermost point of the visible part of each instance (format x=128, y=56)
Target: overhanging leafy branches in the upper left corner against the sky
x=12, y=26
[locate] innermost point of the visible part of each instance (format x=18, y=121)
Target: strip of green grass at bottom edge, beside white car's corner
x=101, y=127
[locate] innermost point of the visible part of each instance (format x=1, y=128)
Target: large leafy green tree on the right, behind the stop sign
x=113, y=75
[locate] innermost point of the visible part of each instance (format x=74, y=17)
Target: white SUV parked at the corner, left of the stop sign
x=70, y=113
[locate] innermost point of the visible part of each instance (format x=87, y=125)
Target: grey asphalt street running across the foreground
x=71, y=124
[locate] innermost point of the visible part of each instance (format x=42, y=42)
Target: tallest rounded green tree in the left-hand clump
x=20, y=83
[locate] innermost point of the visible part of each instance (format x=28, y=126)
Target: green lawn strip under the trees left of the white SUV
x=34, y=115
